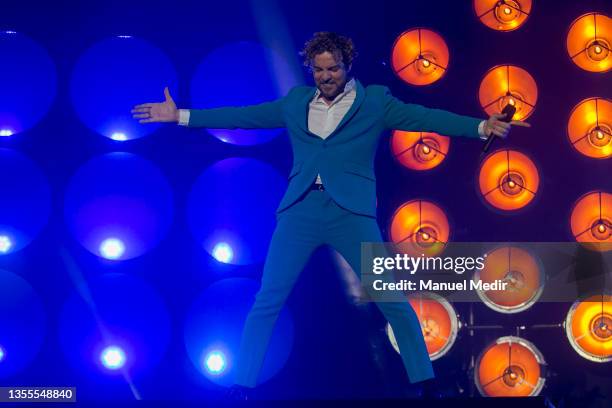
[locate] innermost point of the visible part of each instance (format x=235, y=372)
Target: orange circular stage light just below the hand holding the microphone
x=508, y=180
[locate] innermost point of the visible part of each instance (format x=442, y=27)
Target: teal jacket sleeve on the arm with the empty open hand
x=260, y=116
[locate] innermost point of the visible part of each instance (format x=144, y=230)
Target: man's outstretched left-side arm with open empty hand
x=263, y=115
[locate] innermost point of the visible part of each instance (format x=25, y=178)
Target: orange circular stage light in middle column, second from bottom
x=522, y=273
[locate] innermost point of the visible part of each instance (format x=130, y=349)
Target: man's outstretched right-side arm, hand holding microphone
x=413, y=117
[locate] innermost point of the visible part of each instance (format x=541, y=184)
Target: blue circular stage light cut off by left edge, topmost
x=28, y=83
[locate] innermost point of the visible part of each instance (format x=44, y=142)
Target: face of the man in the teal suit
x=330, y=74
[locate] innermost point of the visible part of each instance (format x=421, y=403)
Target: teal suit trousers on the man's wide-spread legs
x=315, y=220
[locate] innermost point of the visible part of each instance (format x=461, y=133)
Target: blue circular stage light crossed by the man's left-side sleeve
x=221, y=79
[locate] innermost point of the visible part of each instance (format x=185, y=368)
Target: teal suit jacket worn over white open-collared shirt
x=345, y=159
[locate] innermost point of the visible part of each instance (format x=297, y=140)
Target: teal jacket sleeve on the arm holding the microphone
x=411, y=117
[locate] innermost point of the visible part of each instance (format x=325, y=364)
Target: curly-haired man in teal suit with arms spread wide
x=334, y=129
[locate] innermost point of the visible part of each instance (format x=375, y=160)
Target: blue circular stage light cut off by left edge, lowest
x=22, y=324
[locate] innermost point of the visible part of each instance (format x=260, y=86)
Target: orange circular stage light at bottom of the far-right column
x=588, y=326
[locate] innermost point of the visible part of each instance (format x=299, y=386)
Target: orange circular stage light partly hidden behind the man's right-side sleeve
x=419, y=150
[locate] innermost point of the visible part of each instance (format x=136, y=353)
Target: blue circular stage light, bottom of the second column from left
x=114, y=321
